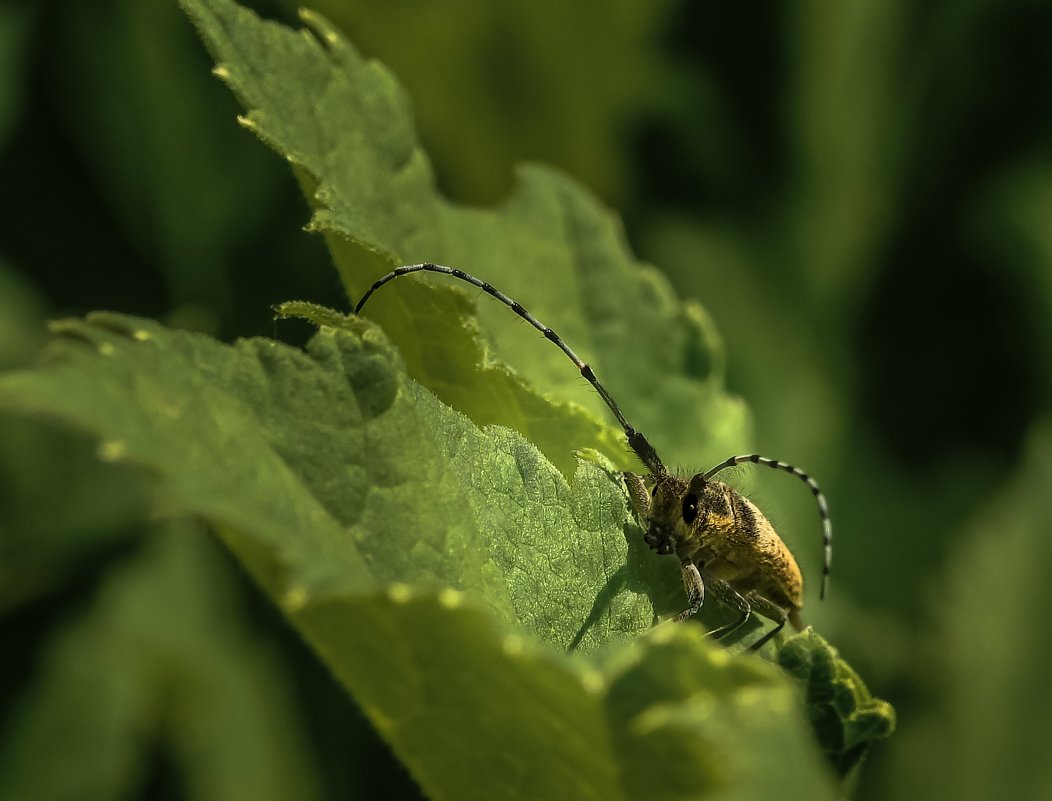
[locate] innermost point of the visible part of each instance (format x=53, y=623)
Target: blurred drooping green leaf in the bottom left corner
x=159, y=665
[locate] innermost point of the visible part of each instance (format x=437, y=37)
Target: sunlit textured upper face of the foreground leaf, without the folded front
x=267, y=439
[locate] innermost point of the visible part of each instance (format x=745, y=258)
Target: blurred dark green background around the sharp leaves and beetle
x=860, y=194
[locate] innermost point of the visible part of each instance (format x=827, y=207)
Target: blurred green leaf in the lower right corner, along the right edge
x=984, y=726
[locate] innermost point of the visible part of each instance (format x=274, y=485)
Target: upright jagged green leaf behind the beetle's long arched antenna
x=347, y=128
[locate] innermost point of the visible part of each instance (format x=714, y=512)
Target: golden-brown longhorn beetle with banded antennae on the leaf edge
x=723, y=542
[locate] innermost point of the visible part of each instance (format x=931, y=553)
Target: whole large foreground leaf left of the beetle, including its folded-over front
x=300, y=462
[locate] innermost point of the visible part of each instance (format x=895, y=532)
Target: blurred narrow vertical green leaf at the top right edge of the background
x=844, y=138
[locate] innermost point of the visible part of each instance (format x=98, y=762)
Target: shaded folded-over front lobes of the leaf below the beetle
x=671, y=718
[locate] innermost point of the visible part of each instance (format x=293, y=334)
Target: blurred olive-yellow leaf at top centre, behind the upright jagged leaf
x=517, y=81
